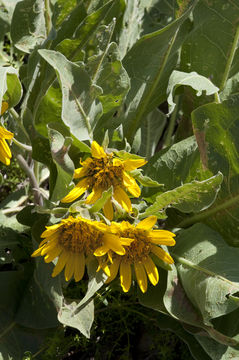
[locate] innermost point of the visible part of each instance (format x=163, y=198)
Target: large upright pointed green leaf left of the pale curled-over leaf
x=149, y=74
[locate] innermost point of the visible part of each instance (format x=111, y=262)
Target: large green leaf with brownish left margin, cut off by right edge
x=216, y=128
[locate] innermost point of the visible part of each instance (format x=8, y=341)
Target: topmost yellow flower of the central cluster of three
x=101, y=171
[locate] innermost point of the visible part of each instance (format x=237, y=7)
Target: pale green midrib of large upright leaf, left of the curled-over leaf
x=143, y=105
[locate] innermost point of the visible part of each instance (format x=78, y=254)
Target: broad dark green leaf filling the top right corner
x=210, y=44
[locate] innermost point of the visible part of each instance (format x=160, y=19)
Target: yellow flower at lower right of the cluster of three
x=144, y=243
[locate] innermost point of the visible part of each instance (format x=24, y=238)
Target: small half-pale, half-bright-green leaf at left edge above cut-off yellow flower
x=10, y=86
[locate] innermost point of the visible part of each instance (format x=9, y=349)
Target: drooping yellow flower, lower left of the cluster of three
x=72, y=241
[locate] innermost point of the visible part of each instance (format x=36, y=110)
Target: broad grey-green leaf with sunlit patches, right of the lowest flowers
x=208, y=270
